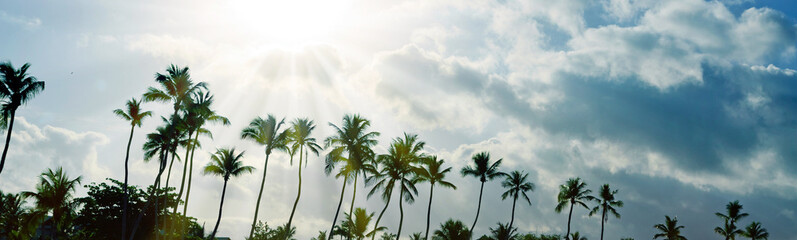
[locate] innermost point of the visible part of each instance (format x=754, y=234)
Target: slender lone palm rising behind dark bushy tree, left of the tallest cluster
x=133, y=114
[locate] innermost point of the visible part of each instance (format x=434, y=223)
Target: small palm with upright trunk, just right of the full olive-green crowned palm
x=433, y=172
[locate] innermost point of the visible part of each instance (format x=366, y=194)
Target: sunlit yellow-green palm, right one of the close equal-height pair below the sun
x=300, y=140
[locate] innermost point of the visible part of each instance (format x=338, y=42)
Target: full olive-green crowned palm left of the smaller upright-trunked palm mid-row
x=398, y=168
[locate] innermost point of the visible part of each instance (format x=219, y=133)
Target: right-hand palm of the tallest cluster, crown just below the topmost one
x=198, y=114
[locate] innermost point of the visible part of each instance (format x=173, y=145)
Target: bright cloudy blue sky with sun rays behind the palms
x=682, y=105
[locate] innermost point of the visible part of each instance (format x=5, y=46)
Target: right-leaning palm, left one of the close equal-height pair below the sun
x=265, y=132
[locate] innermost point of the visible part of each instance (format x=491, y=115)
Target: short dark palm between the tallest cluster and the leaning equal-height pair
x=225, y=163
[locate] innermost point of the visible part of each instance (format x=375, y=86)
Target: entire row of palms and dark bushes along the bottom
x=118, y=210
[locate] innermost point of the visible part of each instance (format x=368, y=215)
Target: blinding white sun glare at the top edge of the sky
x=290, y=23
